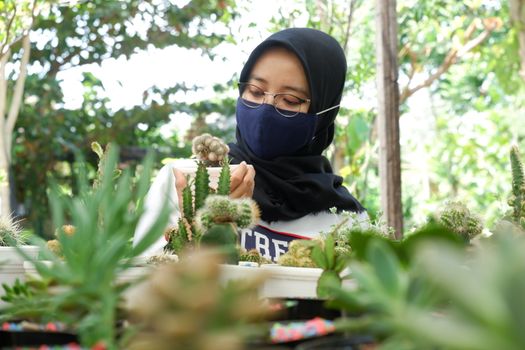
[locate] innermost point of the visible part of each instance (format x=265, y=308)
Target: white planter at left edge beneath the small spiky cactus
x=12, y=264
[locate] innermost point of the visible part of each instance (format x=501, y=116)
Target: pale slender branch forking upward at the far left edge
x=16, y=101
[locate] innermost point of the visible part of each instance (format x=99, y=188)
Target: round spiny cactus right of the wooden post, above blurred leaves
x=459, y=219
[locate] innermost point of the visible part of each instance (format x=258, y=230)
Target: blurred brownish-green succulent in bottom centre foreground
x=185, y=306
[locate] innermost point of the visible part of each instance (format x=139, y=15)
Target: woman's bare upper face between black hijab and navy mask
x=279, y=71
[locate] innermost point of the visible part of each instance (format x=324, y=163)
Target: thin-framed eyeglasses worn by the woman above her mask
x=287, y=105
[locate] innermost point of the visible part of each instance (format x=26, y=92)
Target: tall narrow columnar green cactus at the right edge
x=517, y=198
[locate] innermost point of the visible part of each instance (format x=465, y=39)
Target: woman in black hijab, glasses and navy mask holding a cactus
x=290, y=89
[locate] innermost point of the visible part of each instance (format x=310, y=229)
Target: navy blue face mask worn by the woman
x=269, y=134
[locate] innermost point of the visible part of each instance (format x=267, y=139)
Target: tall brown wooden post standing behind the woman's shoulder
x=388, y=118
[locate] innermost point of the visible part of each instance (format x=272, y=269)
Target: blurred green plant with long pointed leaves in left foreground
x=82, y=291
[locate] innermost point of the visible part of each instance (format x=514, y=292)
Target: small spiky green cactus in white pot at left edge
x=12, y=239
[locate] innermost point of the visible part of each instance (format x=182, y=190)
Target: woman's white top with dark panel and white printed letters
x=270, y=239
